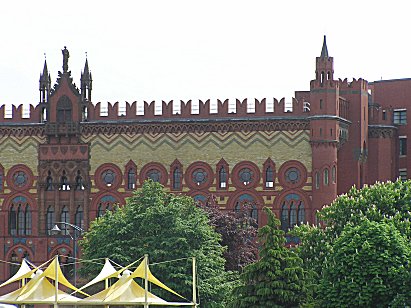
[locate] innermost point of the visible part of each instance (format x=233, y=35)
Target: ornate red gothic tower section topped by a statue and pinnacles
x=63, y=170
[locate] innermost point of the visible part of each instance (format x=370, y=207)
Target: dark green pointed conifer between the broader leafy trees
x=277, y=278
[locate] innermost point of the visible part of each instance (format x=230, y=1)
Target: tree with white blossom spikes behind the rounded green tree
x=388, y=203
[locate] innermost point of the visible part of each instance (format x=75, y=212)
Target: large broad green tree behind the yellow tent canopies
x=166, y=227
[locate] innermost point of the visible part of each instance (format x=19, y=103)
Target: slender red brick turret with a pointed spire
x=325, y=128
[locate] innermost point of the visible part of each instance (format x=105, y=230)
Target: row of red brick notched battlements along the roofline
x=174, y=109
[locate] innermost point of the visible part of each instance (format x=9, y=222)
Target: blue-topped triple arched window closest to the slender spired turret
x=292, y=212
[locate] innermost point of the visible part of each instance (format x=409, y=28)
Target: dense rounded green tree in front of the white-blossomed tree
x=369, y=267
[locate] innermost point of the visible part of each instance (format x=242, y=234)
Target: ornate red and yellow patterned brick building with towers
x=71, y=160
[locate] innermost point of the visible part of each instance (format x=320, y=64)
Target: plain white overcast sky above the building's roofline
x=153, y=50
